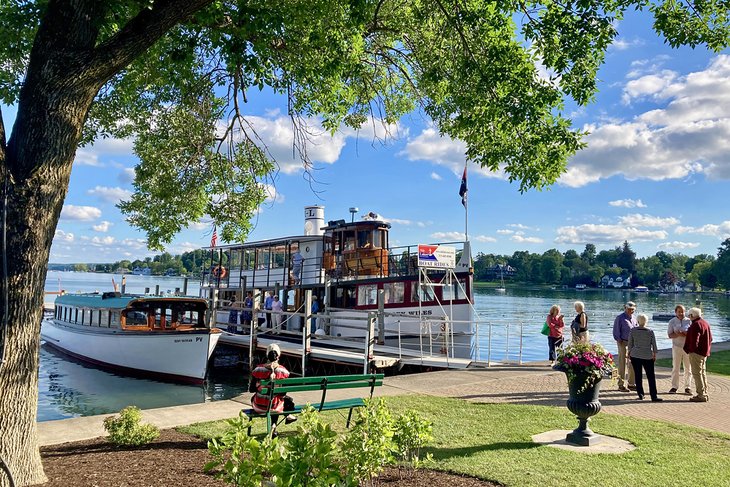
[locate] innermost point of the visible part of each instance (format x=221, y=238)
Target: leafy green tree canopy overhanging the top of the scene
x=472, y=66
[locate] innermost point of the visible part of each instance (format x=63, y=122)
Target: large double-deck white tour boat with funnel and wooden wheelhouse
x=351, y=269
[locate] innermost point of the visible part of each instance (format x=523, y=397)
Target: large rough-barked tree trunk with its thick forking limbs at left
x=65, y=71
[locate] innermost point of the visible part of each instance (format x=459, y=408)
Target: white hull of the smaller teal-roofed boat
x=178, y=356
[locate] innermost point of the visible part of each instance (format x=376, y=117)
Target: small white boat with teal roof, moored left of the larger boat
x=165, y=337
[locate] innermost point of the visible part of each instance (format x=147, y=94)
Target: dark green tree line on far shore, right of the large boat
x=659, y=271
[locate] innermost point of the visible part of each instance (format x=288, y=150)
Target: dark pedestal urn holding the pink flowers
x=584, y=403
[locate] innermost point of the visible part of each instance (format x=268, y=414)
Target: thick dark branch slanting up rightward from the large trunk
x=140, y=33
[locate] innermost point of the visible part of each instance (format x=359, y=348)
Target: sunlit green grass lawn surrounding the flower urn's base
x=493, y=442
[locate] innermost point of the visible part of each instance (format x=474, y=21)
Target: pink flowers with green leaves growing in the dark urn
x=589, y=360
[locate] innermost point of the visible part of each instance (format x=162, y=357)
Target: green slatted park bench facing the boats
x=322, y=383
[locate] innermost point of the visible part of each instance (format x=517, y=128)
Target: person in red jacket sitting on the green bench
x=271, y=370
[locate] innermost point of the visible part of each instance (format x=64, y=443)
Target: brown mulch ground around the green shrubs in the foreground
x=177, y=459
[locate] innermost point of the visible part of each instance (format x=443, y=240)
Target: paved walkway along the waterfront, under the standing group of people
x=527, y=384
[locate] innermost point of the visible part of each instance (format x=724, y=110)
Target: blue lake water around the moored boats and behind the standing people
x=70, y=388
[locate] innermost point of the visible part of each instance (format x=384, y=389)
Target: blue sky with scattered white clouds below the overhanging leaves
x=656, y=172
